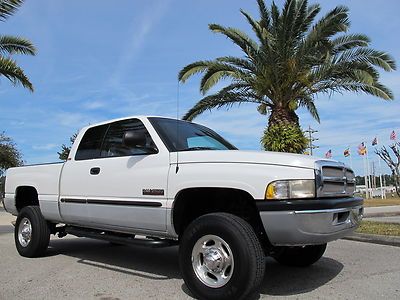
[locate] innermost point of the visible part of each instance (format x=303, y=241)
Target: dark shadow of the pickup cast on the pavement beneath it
x=162, y=264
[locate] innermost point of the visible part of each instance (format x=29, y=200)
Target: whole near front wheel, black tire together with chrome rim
x=221, y=257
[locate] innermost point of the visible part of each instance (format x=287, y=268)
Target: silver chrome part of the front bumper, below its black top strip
x=308, y=227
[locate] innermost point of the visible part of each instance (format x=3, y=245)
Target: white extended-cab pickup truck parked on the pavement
x=158, y=182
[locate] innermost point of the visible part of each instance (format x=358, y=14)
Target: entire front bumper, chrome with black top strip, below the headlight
x=309, y=222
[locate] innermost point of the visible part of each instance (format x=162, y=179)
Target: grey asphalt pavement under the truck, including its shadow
x=79, y=268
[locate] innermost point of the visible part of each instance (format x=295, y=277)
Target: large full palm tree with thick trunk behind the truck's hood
x=291, y=61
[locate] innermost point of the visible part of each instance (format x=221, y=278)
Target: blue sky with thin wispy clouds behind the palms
x=99, y=60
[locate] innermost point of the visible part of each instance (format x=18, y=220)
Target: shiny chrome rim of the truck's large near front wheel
x=212, y=261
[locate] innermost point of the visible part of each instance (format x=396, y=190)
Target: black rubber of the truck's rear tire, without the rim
x=40, y=232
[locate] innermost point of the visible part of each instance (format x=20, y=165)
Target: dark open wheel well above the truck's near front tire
x=194, y=202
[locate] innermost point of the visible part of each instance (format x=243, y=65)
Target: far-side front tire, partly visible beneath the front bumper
x=300, y=256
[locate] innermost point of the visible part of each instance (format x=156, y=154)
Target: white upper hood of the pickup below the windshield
x=246, y=157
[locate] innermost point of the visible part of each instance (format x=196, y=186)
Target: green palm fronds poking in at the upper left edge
x=10, y=45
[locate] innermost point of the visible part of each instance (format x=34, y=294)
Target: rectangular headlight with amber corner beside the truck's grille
x=290, y=189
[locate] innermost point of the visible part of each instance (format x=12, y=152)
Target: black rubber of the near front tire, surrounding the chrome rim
x=248, y=269
